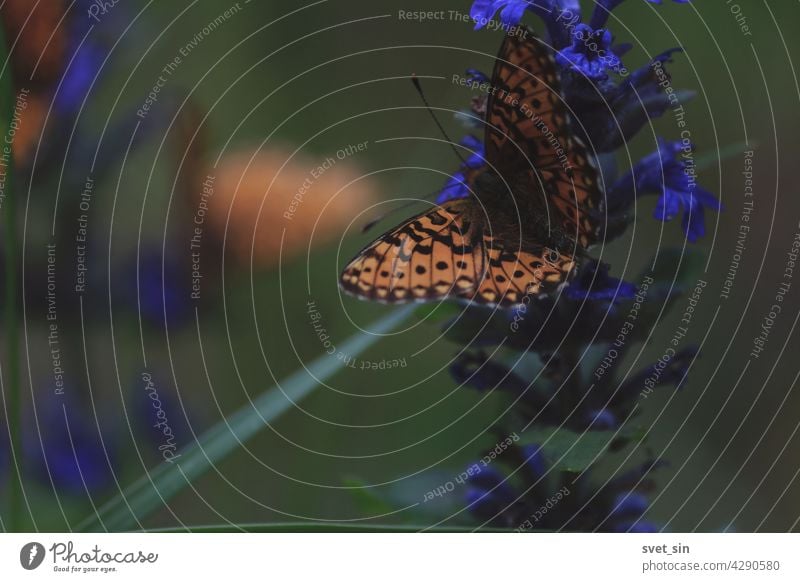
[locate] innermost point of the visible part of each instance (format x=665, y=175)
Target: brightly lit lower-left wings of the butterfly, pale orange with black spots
x=448, y=252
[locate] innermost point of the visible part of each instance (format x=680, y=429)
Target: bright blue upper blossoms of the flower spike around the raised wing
x=609, y=104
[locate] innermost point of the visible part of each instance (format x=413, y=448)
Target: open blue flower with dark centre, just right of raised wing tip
x=590, y=53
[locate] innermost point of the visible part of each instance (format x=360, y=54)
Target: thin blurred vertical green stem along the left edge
x=11, y=380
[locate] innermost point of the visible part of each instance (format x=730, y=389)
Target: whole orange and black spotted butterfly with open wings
x=532, y=210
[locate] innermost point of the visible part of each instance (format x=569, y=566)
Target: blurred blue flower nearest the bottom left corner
x=69, y=451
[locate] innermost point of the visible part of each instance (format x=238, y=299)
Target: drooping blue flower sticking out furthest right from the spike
x=669, y=172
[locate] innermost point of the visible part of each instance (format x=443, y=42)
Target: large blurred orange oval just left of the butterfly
x=312, y=200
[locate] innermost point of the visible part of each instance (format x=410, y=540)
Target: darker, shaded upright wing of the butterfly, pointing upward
x=528, y=131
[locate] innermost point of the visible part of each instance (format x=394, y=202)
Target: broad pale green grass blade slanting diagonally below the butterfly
x=152, y=491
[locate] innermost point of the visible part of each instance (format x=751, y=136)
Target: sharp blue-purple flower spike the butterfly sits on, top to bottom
x=558, y=359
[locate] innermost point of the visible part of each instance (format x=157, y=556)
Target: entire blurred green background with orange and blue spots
x=253, y=107
